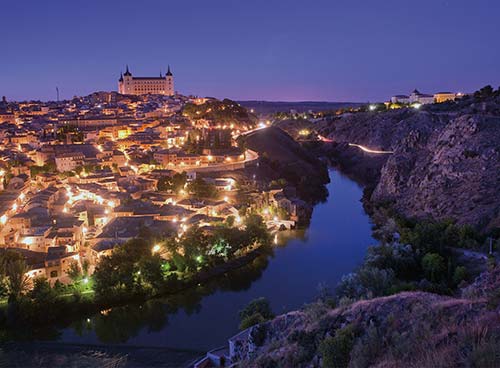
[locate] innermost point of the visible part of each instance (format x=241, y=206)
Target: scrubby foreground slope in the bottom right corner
x=410, y=329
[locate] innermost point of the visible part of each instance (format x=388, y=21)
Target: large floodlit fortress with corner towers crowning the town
x=130, y=85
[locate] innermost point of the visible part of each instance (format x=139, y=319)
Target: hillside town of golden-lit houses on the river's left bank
x=80, y=177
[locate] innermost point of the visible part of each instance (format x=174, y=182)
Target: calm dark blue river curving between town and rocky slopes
x=333, y=245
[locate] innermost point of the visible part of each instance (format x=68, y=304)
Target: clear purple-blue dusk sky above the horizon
x=335, y=50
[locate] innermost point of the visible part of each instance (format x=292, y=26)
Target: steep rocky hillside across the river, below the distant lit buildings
x=444, y=165
